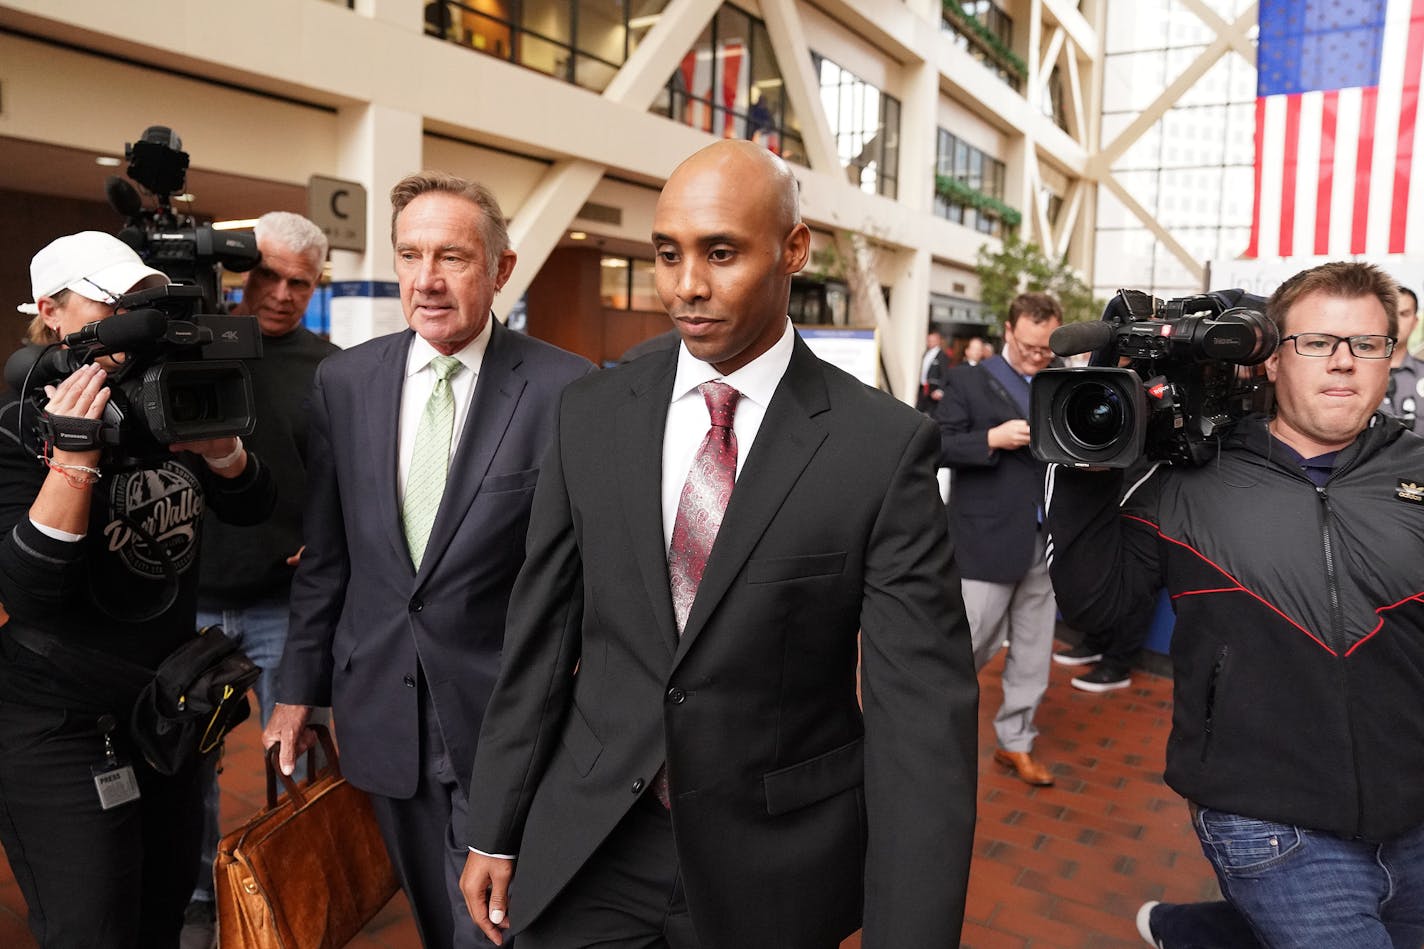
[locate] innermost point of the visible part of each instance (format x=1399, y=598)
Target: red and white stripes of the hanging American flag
x=1334, y=169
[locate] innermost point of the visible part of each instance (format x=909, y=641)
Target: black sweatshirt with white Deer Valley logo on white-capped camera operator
x=129, y=588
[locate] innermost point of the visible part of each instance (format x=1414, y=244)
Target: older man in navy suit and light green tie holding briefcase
x=398, y=633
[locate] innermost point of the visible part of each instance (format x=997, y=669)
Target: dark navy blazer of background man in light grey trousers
x=995, y=497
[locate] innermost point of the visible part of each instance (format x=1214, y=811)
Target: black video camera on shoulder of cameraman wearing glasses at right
x=1193, y=368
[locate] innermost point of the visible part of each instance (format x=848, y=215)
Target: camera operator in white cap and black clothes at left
x=103, y=847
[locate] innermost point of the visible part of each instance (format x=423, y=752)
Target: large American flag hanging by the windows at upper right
x=1338, y=109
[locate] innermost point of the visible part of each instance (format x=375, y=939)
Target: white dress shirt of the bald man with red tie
x=689, y=418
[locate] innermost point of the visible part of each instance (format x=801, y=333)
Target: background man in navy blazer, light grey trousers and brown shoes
x=996, y=521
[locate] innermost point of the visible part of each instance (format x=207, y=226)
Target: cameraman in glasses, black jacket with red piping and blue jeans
x=1294, y=565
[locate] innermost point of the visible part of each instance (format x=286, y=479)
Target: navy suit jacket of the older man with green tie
x=362, y=618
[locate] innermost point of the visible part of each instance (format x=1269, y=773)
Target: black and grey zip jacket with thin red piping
x=1299, y=643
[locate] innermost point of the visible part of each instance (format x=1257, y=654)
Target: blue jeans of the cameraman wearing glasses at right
x=1301, y=888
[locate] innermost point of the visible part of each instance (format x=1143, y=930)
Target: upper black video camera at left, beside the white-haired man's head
x=189, y=253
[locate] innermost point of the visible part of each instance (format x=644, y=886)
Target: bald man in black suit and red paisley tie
x=791, y=814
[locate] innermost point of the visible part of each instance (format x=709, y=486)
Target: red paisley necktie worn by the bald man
x=700, y=518
